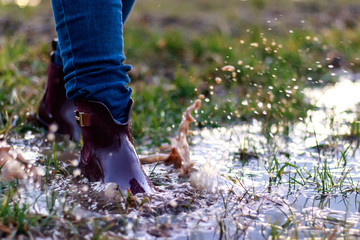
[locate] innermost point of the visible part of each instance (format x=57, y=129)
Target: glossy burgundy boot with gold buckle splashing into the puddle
x=108, y=152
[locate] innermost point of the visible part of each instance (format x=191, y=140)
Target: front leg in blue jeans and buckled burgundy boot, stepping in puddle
x=91, y=43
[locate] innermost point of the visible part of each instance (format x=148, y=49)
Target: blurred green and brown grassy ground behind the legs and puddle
x=178, y=50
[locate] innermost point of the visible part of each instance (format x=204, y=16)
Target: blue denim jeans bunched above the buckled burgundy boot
x=91, y=51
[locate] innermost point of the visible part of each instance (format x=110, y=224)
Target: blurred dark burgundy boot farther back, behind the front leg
x=54, y=107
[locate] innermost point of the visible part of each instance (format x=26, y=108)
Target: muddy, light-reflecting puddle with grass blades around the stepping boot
x=302, y=186
